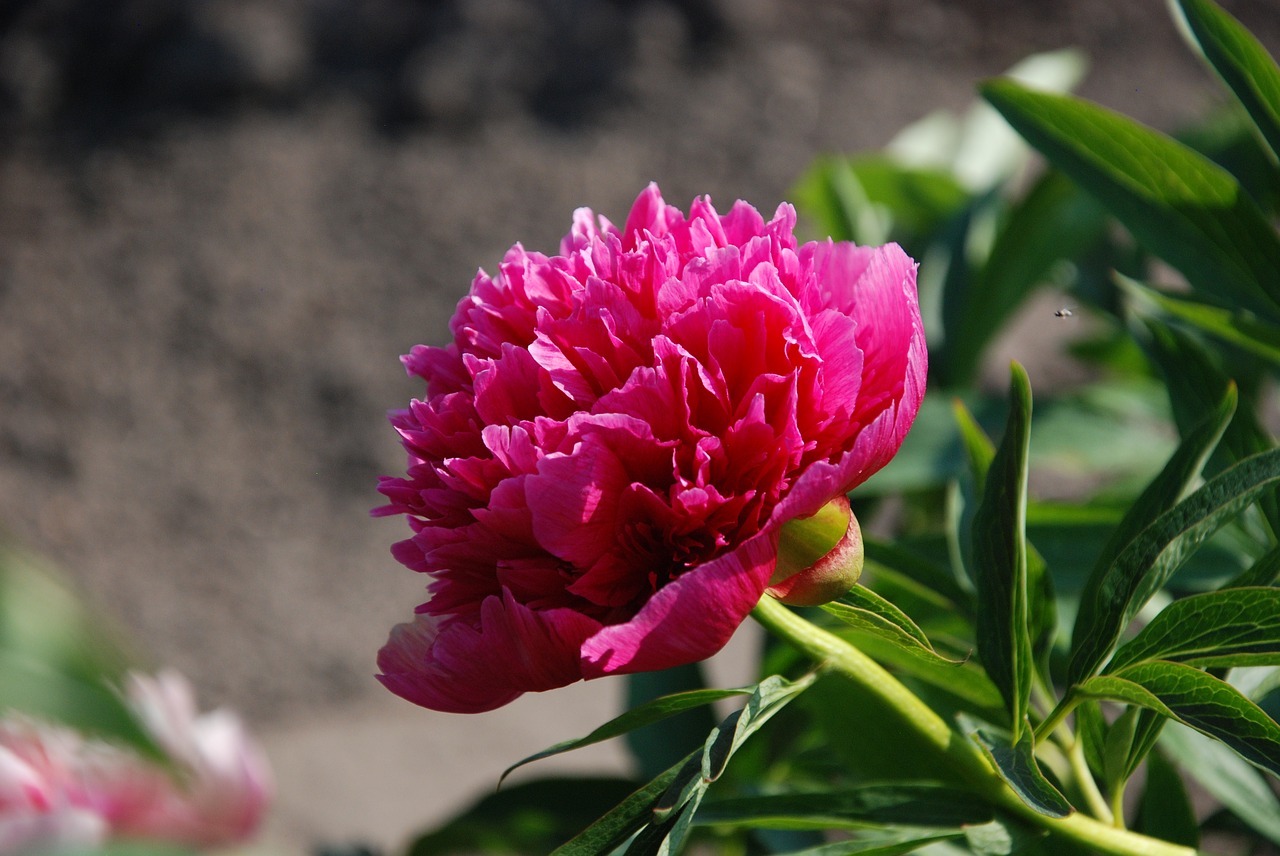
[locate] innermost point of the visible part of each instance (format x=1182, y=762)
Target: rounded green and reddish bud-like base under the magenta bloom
x=820, y=557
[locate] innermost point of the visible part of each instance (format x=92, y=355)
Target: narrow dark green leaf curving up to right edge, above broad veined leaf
x=1145, y=566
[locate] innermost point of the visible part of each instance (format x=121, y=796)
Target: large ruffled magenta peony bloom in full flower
x=610, y=446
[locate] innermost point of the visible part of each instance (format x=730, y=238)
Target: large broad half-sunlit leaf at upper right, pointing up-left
x=1177, y=203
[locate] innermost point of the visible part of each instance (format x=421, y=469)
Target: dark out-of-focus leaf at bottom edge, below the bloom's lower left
x=529, y=818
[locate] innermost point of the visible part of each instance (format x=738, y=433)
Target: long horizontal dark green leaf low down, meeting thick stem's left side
x=879, y=804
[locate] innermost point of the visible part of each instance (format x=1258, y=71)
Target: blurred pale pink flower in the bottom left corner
x=61, y=790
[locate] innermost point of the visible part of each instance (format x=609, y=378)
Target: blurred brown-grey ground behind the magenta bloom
x=222, y=222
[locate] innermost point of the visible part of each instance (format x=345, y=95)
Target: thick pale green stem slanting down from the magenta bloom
x=952, y=748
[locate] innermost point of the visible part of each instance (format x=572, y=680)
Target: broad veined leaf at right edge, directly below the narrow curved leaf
x=1213, y=630
